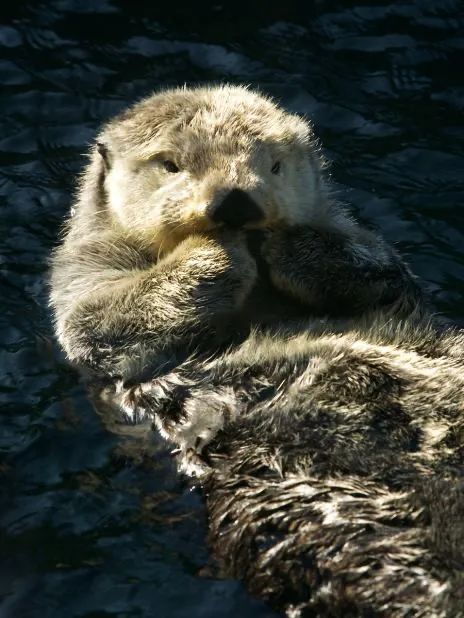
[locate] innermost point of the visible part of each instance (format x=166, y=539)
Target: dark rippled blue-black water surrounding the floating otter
x=86, y=530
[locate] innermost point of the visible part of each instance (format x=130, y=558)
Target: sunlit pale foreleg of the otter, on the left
x=141, y=316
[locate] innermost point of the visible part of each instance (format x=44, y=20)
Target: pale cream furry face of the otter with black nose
x=190, y=160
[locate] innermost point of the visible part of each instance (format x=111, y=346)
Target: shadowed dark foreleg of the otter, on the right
x=342, y=271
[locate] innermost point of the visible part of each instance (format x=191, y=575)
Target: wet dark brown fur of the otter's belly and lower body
x=331, y=494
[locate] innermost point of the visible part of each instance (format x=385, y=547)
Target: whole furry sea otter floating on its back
x=209, y=276
